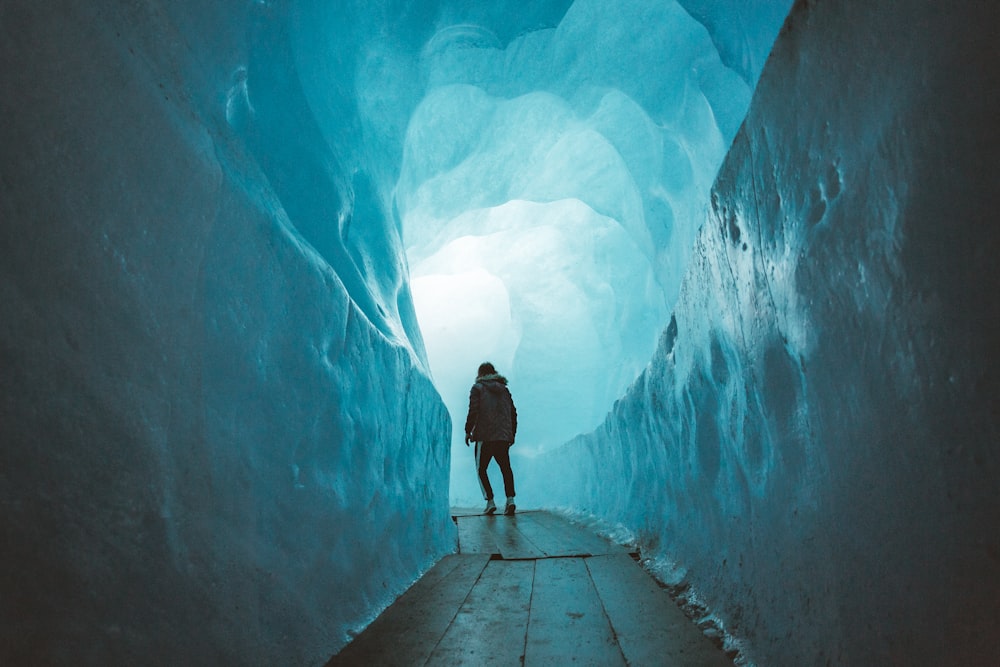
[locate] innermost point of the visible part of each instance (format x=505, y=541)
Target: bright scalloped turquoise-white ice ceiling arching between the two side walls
x=549, y=169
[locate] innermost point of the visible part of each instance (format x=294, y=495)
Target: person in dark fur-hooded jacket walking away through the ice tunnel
x=492, y=424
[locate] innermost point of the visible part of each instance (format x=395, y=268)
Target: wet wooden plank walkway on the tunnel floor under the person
x=532, y=589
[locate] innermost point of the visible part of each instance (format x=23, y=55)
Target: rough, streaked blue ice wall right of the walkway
x=813, y=449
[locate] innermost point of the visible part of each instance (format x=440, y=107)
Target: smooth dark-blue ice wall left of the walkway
x=219, y=442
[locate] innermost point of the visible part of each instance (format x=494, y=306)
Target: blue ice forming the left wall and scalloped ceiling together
x=217, y=421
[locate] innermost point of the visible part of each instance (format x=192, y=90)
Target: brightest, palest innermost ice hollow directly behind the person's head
x=564, y=287
